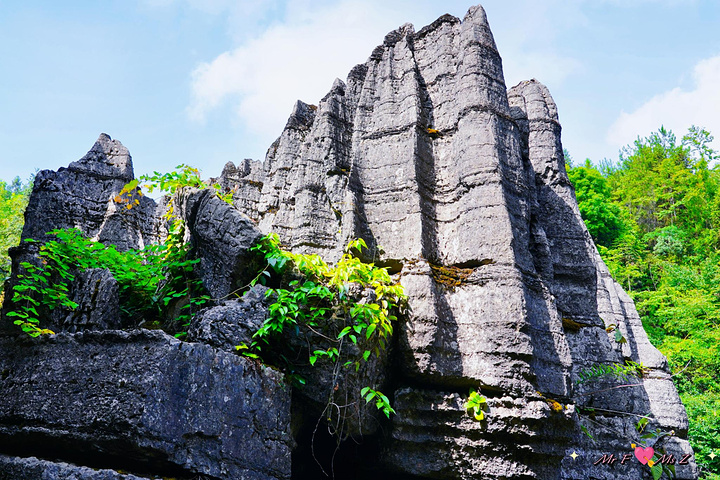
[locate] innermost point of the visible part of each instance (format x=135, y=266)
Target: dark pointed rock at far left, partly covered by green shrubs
x=85, y=196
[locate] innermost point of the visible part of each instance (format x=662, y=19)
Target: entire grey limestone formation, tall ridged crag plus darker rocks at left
x=458, y=186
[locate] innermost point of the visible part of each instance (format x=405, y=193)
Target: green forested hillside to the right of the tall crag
x=655, y=217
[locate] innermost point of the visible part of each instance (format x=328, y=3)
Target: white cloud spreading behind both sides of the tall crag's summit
x=299, y=55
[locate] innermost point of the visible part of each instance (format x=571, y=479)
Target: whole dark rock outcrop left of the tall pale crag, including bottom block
x=138, y=401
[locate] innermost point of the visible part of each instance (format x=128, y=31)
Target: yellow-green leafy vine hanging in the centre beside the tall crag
x=351, y=306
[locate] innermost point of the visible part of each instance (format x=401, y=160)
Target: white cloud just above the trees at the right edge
x=676, y=109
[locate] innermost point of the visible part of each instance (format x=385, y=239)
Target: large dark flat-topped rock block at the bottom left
x=145, y=400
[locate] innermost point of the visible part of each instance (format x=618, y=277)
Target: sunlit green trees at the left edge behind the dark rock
x=13, y=200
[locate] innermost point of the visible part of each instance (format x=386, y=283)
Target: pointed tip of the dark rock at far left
x=108, y=158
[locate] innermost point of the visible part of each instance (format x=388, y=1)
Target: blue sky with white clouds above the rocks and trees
x=204, y=82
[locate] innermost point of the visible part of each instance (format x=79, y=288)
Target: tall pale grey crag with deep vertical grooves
x=459, y=185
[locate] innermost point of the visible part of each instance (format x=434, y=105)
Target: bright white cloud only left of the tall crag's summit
x=298, y=59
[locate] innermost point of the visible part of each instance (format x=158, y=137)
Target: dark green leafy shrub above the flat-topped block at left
x=151, y=281
